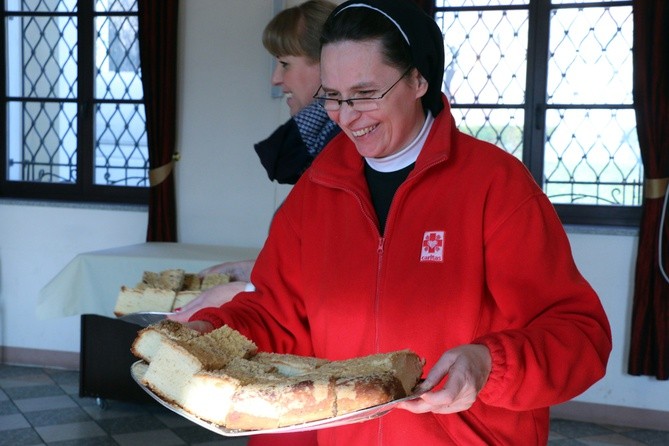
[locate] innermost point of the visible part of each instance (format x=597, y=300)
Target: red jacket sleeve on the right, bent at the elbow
x=565, y=339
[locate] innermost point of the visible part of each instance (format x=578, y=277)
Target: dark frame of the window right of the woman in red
x=535, y=107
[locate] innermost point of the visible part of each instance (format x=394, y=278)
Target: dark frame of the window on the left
x=84, y=189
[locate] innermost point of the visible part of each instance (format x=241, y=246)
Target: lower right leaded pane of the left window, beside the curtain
x=121, y=152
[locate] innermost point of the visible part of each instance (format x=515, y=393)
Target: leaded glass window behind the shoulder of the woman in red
x=551, y=83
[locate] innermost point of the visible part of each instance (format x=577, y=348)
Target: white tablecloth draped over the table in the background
x=90, y=283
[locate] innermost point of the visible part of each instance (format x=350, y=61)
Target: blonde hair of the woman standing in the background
x=296, y=31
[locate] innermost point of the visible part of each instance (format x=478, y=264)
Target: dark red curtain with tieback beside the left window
x=158, y=56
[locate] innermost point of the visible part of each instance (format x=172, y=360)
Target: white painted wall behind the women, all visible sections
x=224, y=197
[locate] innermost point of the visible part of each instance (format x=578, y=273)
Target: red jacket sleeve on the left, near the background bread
x=273, y=315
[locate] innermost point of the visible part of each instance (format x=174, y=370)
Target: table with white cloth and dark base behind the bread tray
x=89, y=286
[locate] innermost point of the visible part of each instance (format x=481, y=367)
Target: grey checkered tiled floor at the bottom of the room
x=41, y=407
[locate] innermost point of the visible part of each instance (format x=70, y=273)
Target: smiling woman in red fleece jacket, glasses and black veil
x=408, y=234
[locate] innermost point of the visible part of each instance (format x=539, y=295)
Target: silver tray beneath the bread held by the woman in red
x=354, y=417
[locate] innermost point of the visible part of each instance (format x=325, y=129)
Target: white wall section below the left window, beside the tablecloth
x=36, y=242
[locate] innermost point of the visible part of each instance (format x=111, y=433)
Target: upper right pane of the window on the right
x=590, y=56
